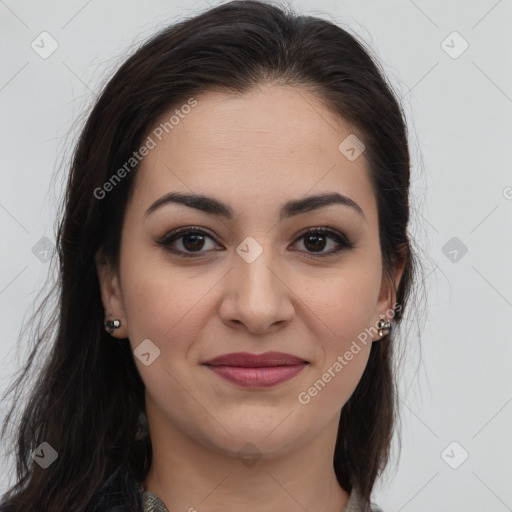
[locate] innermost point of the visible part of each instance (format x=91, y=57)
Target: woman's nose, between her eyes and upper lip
x=257, y=297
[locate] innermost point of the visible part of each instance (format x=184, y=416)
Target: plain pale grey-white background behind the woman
x=459, y=115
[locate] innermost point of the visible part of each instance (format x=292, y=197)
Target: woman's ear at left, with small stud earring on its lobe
x=110, y=294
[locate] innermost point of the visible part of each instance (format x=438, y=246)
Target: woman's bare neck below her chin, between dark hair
x=188, y=476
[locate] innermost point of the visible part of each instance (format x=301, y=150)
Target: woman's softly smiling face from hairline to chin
x=247, y=277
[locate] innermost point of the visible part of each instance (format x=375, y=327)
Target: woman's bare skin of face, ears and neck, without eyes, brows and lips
x=254, y=152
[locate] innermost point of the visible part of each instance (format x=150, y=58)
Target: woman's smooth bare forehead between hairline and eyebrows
x=271, y=143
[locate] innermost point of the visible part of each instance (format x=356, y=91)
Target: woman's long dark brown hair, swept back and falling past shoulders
x=89, y=399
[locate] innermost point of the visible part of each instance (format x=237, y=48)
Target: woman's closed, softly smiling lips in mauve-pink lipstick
x=257, y=370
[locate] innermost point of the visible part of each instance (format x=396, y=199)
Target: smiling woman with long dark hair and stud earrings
x=234, y=263
